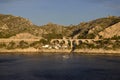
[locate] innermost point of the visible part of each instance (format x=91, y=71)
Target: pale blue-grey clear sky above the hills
x=64, y=12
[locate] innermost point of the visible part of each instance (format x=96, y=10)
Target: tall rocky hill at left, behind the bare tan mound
x=12, y=25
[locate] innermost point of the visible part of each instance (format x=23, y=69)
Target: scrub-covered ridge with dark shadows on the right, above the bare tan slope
x=92, y=28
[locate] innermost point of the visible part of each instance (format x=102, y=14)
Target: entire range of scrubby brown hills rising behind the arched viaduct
x=17, y=27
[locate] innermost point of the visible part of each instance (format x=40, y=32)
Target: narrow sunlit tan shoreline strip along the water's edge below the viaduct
x=30, y=51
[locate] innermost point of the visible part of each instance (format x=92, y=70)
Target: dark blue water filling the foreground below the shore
x=59, y=67
